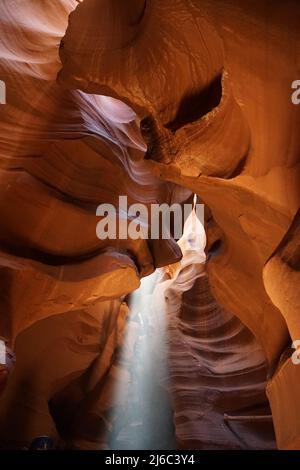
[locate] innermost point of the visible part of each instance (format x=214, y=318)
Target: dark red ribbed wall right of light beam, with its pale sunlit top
x=216, y=365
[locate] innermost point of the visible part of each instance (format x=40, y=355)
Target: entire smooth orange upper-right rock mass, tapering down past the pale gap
x=191, y=148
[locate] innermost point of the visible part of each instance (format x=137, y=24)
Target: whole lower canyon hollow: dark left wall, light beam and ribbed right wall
x=171, y=364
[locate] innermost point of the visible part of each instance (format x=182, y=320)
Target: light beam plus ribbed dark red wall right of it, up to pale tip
x=191, y=363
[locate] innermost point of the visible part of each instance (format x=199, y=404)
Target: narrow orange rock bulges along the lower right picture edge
x=281, y=274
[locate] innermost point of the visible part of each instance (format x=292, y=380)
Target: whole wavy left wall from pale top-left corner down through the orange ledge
x=58, y=153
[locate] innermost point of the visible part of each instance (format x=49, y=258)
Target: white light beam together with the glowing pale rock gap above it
x=143, y=418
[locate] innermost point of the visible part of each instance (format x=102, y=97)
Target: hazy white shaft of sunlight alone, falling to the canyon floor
x=146, y=420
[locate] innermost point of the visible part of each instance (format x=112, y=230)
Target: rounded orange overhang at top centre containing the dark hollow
x=170, y=110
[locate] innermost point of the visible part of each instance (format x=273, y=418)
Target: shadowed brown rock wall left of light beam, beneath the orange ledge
x=75, y=348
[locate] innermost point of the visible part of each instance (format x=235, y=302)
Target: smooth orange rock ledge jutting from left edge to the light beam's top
x=58, y=289
